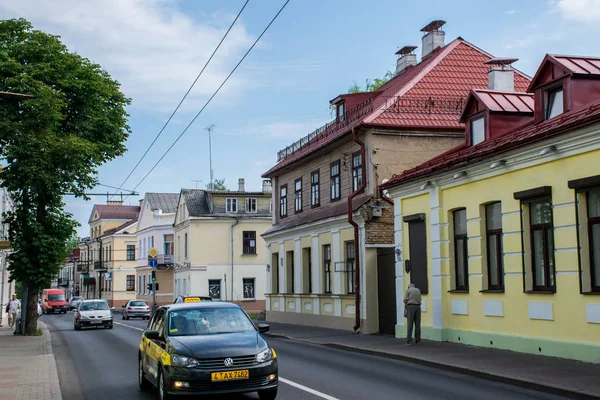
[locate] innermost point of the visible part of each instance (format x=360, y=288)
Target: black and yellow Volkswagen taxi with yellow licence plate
x=199, y=348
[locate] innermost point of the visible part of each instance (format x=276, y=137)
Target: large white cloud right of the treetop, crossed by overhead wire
x=152, y=47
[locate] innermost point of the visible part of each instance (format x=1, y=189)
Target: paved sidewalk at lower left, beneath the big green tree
x=27, y=366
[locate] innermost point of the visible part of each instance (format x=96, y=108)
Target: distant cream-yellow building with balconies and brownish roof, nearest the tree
x=108, y=255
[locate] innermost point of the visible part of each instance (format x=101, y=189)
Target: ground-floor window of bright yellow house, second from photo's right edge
x=542, y=244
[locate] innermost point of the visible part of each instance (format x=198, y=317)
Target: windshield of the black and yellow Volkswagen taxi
x=208, y=321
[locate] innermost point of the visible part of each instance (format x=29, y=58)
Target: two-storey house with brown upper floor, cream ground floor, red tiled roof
x=331, y=247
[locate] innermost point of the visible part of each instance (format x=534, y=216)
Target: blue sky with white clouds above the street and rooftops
x=314, y=51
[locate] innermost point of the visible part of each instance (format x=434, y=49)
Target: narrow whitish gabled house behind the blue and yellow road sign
x=155, y=230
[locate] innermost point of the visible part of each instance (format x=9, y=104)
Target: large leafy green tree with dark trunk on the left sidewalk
x=53, y=142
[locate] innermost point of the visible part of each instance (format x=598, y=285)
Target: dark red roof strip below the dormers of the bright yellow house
x=524, y=135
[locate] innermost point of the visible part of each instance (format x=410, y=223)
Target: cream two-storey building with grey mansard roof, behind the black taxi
x=219, y=251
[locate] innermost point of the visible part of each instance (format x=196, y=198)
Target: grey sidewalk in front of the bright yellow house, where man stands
x=555, y=375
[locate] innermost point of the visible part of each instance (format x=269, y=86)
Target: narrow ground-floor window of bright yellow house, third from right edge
x=495, y=263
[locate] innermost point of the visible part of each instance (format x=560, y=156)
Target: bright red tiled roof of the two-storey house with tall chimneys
x=445, y=76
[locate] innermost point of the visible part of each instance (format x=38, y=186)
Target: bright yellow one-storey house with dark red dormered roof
x=502, y=234
